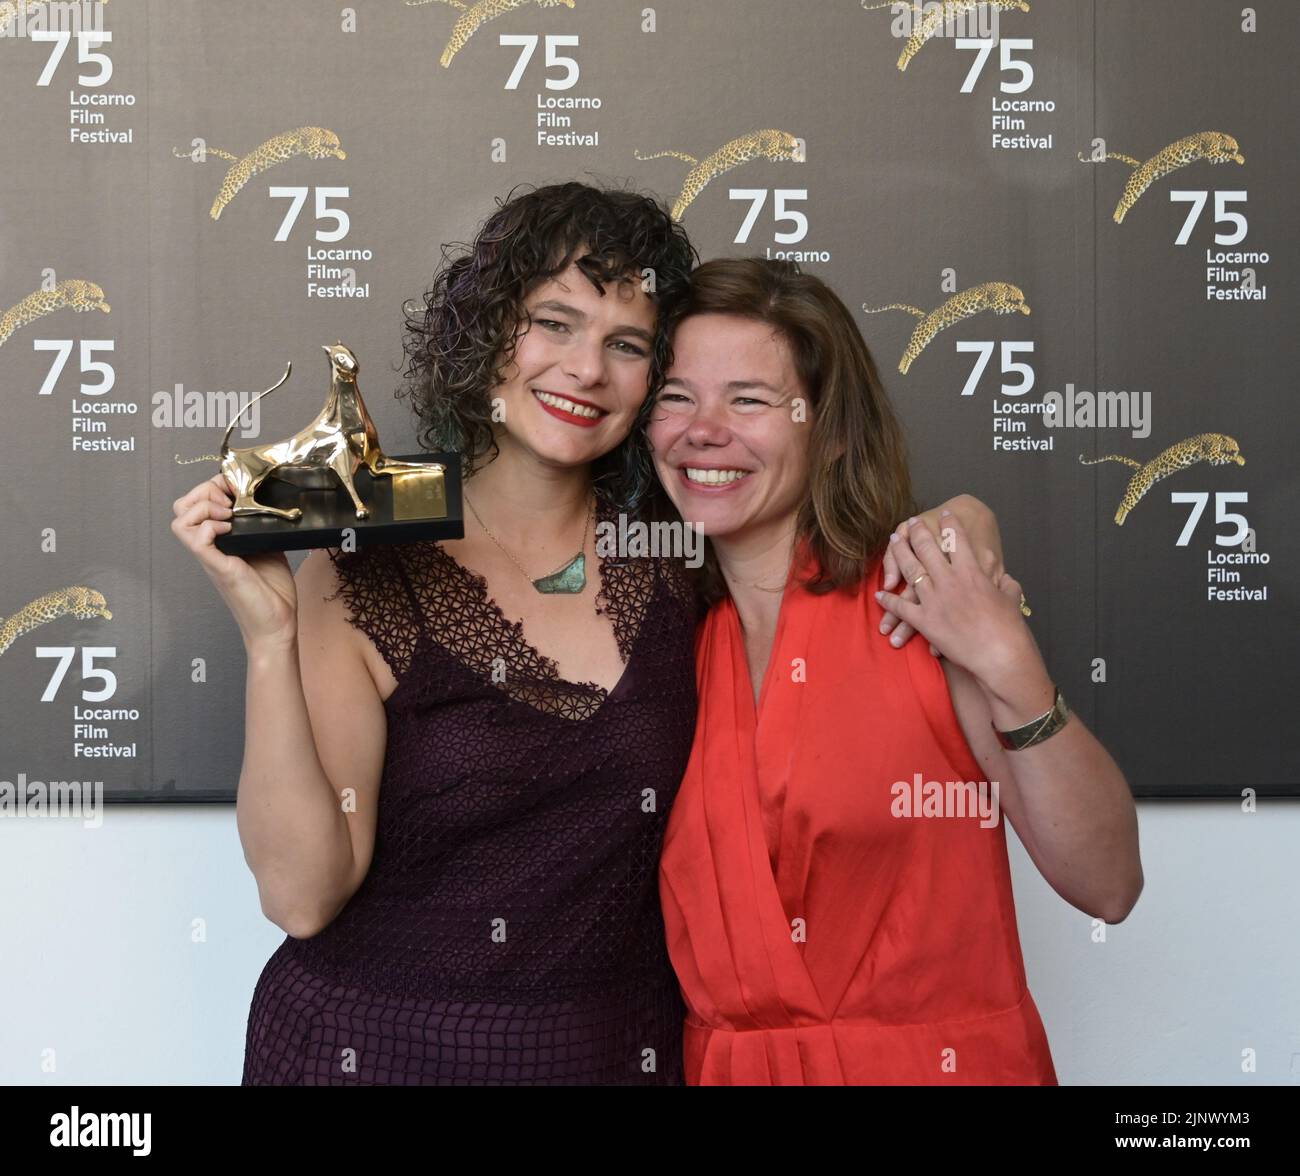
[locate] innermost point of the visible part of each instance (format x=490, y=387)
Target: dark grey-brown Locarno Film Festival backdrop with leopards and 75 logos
x=1067, y=228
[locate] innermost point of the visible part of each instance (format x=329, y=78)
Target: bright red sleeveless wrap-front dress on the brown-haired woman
x=820, y=939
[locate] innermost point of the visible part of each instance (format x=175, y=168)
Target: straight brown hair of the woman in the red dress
x=859, y=481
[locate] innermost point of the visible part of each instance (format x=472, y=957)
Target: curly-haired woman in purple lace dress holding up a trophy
x=491, y=913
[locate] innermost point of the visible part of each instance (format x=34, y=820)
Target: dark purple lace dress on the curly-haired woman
x=509, y=931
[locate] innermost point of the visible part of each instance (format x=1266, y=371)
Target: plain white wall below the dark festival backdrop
x=101, y=966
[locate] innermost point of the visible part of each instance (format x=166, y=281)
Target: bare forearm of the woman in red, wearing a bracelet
x=1074, y=801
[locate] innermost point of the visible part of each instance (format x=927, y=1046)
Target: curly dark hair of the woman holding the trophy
x=461, y=344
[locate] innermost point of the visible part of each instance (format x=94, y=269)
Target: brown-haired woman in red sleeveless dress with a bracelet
x=835, y=880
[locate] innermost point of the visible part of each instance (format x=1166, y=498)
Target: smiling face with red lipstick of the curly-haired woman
x=580, y=371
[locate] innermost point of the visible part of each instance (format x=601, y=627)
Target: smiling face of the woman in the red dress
x=731, y=428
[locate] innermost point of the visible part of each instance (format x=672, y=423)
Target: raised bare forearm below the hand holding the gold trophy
x=292, y=823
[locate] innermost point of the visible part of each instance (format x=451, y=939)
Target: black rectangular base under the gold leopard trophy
x=328, y=511
